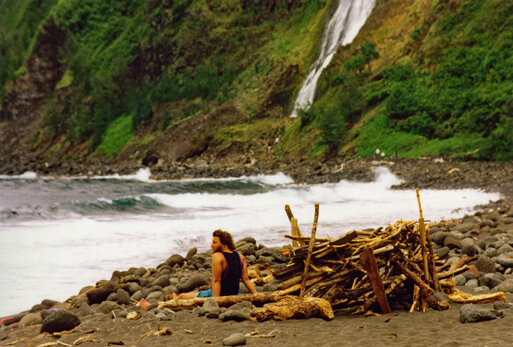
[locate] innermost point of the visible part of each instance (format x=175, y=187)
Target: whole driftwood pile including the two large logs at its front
x=363, y=271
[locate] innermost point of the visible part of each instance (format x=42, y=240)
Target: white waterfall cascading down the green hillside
x=342, y=28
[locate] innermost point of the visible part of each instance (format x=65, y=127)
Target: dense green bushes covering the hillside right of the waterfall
x=460, y=104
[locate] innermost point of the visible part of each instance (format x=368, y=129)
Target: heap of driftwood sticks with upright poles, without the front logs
x=367, y=270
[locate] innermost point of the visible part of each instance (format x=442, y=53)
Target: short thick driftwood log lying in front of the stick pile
x=295, y=307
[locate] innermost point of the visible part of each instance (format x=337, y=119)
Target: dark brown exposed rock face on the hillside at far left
x=43, y=71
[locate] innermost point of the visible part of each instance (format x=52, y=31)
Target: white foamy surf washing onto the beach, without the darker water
x=54, y=258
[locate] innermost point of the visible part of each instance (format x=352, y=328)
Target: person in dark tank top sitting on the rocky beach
x=228, y=268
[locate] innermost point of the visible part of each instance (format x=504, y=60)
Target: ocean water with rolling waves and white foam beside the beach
x=58, y=235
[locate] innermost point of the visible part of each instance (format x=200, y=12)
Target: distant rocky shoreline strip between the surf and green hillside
x=436, y=173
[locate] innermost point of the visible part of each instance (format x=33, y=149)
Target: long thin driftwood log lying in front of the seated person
x=223, y=301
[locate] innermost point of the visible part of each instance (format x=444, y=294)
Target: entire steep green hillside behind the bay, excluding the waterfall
x=132, y=77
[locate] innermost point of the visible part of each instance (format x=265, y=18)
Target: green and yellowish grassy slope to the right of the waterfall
x=454, y=97
